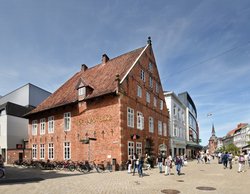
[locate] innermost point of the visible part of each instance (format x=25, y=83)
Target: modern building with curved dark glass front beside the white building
x=192, y=128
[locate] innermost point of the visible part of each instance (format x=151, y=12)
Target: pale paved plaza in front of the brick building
x=195, y=178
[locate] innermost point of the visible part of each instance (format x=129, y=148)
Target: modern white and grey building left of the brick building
x=13, y=127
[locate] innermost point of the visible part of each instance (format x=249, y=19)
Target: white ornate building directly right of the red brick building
x=177, y=125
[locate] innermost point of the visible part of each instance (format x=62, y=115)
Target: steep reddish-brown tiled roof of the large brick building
x=101, y=78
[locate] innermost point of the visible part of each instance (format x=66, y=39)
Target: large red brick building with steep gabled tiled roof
x=117, y=107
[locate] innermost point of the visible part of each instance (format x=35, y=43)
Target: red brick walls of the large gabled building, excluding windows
x=105, y=118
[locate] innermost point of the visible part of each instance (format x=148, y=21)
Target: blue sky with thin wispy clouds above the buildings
x=200, y=46
